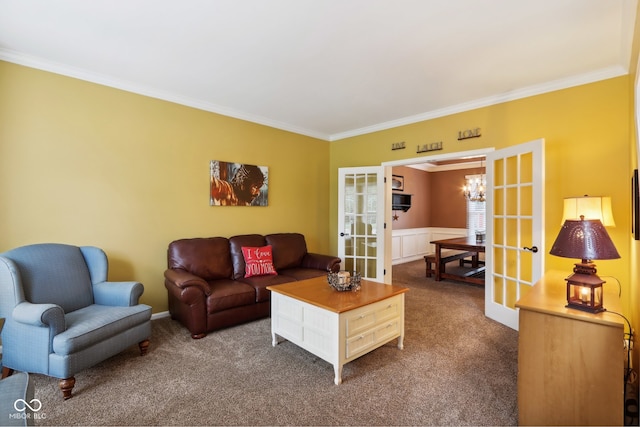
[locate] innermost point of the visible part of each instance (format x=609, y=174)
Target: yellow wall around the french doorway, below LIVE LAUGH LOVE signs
x=586, y=129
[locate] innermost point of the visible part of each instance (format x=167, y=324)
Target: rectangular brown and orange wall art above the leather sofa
x=238, y=184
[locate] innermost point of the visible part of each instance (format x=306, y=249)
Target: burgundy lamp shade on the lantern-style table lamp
x=585, y=240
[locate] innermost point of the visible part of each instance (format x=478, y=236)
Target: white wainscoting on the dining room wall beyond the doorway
x=414, y=243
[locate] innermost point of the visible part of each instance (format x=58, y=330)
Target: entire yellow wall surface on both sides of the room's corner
x=85, y=164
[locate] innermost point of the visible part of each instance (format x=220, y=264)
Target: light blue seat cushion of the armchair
x=96, y=323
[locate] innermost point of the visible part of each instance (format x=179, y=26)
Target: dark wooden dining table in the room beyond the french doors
x=469, y=244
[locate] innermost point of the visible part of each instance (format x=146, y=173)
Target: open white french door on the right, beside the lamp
x=515, y=227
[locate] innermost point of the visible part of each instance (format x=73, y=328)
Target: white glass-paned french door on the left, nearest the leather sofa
x=361, y=221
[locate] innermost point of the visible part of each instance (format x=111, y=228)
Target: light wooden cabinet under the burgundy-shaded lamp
x=570, y=363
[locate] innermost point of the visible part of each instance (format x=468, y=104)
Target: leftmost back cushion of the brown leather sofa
x=206, y=257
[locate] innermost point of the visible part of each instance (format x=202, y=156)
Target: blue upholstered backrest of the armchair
x=53, y=273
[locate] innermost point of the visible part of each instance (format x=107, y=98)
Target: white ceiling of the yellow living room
x=324, y=68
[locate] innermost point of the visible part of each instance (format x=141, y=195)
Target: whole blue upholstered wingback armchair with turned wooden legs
x=62, y=316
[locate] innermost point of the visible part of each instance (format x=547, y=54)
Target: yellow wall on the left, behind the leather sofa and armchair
x=85, y=164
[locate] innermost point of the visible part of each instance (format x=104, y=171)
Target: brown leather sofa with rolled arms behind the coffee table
x=206, y=280
